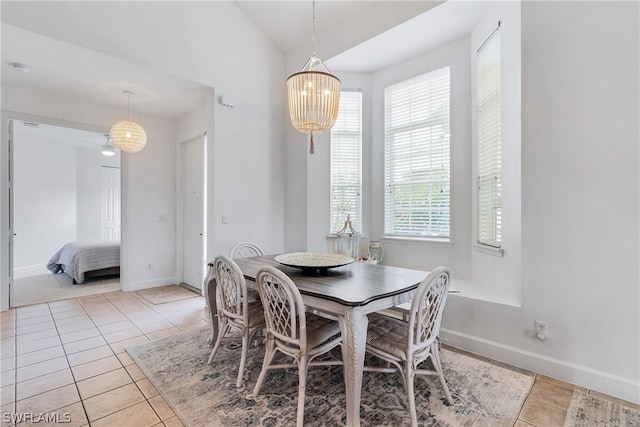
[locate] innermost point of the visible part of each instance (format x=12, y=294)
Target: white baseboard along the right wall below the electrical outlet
x=604, y=382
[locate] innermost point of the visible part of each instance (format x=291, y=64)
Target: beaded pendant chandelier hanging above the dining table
x=314, y=95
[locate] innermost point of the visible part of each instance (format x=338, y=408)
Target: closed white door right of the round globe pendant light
x=193, y=208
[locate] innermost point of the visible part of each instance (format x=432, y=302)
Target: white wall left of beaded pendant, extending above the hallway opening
x=225, y=51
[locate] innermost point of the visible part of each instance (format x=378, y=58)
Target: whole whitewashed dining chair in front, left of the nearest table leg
x=293, y=332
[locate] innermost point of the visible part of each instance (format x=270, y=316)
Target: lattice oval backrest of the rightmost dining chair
x=427, y=308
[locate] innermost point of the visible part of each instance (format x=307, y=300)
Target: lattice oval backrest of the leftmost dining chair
x=231, y=289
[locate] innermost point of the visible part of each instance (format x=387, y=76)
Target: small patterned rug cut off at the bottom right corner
x=589, y=410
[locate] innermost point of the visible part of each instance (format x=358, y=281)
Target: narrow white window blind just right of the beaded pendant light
x=346, y=163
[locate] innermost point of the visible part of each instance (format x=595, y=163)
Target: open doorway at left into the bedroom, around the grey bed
x=58, y=196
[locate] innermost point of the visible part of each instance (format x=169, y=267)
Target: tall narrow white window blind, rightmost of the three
x=489, y=203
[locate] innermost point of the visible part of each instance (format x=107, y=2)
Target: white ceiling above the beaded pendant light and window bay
x=436, y=23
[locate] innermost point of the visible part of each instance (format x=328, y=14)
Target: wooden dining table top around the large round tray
x=355, y=284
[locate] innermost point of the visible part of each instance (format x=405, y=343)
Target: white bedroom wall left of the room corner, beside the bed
x=44, y=199
